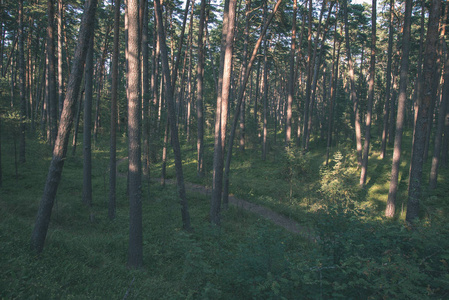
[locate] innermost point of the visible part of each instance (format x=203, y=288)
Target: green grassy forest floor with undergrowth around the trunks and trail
x=358, y=254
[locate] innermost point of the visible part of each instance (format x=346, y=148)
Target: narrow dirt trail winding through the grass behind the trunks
x=278, y=219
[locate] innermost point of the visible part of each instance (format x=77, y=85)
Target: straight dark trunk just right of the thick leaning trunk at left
x=87, y=128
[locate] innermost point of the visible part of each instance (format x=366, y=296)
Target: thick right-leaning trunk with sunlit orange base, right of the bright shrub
x=391, y=202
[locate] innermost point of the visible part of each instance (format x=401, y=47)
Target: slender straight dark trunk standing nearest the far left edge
x=23, y=113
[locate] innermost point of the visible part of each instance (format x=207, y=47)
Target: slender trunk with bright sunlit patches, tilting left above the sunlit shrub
x=355, y=101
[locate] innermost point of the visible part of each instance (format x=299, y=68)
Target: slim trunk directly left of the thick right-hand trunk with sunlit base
x=388, y=83
